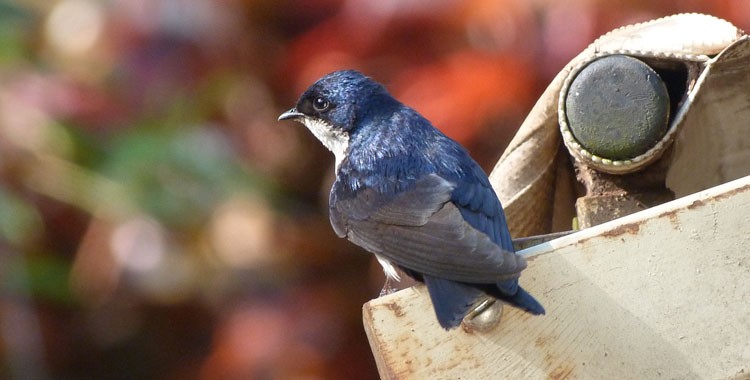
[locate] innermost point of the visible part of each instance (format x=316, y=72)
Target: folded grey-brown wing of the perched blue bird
x=422, y=230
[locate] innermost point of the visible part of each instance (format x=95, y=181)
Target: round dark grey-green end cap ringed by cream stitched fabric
x=617, y=107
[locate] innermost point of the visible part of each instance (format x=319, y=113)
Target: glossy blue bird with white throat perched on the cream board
x=413, y=197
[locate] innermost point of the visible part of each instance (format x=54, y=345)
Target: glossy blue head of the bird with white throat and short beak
x=331, y=107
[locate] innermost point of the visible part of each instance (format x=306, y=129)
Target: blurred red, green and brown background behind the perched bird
x=157, y=222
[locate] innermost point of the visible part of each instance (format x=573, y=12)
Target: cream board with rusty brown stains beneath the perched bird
x=663, y=293
